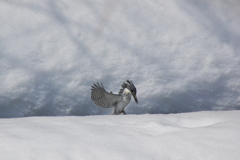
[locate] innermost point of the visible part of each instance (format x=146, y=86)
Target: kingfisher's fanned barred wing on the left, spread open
x=102, y=98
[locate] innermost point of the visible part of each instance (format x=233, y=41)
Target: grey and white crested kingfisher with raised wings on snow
x=119, y=101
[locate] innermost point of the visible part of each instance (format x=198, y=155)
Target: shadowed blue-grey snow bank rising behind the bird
x=183, y=56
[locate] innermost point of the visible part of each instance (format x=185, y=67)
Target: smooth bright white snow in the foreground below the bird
x=212, y=135
